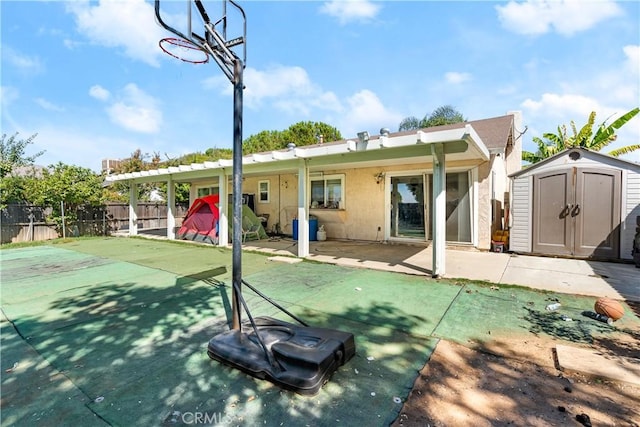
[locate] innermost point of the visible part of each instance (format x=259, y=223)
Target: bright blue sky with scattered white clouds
x=89, y=78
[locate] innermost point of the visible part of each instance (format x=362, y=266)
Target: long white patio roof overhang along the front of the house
x=460, y=144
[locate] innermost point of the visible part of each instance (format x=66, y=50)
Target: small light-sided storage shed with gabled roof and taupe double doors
x=577, y=203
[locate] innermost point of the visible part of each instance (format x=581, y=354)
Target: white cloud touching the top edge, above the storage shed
x=566, y=17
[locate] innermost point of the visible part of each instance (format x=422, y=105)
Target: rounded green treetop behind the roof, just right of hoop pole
x=301, y=134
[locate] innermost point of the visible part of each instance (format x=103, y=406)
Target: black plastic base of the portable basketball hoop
x=303, y=358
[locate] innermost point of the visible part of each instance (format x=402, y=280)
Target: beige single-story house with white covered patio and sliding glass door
x=388, y=187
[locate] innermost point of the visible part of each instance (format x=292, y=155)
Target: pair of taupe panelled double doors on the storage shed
x=576, y=212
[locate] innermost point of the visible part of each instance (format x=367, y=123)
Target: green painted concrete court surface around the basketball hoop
x=114, y=331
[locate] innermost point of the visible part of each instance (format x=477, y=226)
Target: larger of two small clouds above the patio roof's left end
x=136, y=111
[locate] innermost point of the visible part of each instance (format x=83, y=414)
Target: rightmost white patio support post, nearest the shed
x=439, y=214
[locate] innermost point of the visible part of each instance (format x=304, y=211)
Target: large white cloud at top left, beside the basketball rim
x=120, y=24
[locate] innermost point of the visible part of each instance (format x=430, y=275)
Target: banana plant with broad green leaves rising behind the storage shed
x=554, y=143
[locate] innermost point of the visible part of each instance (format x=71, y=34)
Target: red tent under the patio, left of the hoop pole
x=201, y=221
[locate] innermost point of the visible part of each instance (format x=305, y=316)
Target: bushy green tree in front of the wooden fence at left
x=71, y=186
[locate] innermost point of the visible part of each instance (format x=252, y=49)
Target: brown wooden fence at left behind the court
x=24, y=223
